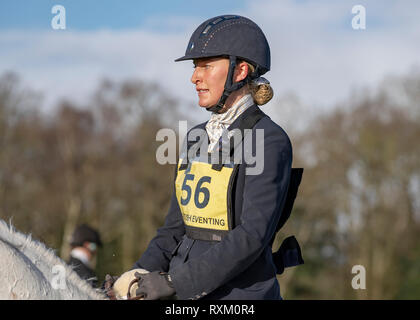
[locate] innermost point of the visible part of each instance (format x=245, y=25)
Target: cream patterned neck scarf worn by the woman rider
x=220, y=122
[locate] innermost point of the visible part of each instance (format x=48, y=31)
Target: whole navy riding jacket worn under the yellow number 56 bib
x=240, y=266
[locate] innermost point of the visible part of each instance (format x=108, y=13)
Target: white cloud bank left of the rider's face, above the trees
x=71, y=63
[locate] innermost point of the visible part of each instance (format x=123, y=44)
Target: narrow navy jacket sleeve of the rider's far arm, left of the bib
x=159, y=252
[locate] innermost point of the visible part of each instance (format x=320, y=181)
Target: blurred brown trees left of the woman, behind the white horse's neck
x=93, y=165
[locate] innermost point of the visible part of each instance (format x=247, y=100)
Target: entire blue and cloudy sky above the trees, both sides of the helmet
x=316, y=54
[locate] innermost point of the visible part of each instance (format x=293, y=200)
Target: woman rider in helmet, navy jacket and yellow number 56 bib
x=217, y=237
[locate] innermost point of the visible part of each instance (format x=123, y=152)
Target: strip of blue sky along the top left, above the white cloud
x=106, y=14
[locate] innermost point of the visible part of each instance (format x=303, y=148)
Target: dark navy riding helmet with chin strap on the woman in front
x=235, y=37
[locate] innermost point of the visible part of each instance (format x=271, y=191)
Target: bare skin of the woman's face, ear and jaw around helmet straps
x=209, y=77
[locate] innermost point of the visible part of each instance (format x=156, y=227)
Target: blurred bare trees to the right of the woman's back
x=359, y=201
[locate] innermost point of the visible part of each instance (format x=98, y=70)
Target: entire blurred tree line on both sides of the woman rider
x=358, y=202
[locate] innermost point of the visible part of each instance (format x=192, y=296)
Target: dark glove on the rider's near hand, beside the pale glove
x=155, y=285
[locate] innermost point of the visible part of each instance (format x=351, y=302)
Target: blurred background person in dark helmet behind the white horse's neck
x=84, y=243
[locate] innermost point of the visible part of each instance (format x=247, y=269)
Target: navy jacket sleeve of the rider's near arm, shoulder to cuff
x=263, y=199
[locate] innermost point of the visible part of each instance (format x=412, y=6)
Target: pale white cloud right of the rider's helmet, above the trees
x=317, y=54
